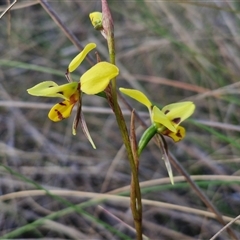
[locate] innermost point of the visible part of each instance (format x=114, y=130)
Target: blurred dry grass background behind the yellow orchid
x=173, y=51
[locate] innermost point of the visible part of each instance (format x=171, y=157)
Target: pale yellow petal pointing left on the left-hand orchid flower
x=51, y=89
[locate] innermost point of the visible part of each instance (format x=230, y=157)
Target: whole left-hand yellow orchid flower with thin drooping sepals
x=93, y=81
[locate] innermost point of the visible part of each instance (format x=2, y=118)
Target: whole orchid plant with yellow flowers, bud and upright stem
x=102, y=77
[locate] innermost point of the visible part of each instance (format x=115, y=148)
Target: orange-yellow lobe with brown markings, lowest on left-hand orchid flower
x=60, y=111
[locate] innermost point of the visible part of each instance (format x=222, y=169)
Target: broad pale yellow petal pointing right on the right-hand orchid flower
x=178, y=112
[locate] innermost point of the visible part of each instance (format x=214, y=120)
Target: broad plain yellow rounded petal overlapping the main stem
x=96, y=79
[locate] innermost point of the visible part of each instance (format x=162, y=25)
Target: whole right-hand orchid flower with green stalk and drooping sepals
x=164, y=122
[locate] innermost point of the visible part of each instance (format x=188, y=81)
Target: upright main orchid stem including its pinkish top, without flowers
x=135, y=202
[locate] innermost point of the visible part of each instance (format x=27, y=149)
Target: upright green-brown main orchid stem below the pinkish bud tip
x=136, y=200
